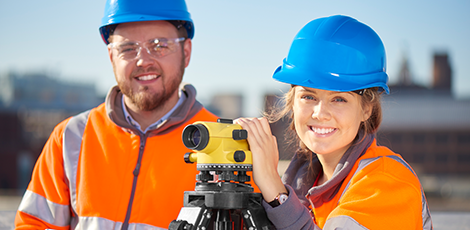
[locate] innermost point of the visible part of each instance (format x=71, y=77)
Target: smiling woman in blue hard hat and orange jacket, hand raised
x=339, y=178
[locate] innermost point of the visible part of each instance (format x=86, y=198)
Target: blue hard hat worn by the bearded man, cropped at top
x=122, y=11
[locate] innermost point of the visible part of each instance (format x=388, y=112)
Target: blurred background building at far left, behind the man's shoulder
x=31, y=105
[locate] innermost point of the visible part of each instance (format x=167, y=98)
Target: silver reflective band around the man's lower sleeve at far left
x=50, y=212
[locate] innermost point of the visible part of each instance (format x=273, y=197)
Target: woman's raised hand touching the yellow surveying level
x=263, y=146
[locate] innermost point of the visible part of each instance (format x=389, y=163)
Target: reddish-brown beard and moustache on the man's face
x=146, y=101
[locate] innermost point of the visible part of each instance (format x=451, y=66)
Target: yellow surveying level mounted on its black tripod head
x=222, y=200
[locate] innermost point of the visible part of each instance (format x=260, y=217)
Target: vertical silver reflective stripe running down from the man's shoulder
x=72, y=141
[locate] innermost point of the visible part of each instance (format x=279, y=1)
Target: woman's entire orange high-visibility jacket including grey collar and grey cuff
x=379, y=190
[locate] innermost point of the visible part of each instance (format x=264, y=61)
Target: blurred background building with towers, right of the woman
x=428, y=126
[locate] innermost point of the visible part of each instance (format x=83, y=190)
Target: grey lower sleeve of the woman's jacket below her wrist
x=292, y=214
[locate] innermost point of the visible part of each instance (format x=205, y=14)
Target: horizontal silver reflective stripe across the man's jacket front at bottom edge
x=102, y=223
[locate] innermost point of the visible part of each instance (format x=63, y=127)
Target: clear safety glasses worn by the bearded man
x=140, y=45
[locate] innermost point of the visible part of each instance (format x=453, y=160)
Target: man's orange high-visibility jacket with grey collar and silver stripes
x=96, y=169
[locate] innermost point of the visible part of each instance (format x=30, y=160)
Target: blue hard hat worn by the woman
x=336, y=53
